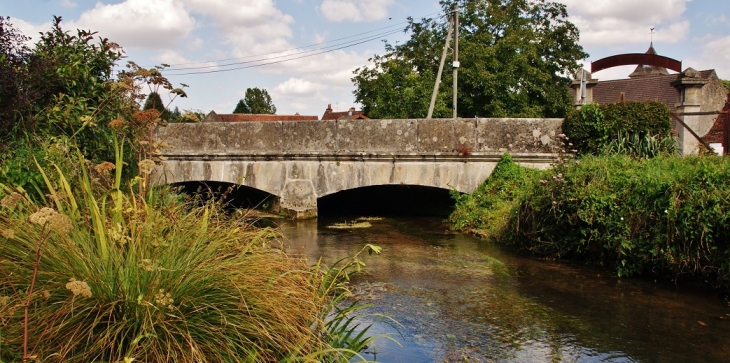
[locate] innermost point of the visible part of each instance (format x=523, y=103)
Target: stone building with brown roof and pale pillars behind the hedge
x=696, y=97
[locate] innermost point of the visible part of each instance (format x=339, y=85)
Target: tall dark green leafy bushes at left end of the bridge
x=69, y=98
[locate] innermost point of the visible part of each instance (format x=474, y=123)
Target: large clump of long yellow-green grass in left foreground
x=103, y=275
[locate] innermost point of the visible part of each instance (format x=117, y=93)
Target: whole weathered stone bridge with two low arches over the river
x=300, y=161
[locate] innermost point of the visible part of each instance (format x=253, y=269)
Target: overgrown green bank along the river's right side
x=664, y=216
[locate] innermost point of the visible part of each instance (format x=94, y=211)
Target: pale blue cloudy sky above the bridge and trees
x=304, y=52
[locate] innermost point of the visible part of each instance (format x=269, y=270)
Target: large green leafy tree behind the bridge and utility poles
x=516, y=57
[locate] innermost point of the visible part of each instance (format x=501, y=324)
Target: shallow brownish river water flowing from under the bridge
x=457, y=298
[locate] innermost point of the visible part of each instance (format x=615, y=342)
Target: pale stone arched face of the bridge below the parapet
x=298, y=184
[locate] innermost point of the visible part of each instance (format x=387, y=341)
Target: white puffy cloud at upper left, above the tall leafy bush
x=139, y=23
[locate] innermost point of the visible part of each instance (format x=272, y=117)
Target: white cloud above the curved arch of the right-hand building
x=617, y=22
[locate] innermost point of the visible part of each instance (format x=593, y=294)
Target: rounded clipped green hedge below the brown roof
x=594, y=127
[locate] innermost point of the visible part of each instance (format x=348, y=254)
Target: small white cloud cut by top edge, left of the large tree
x=355, y=10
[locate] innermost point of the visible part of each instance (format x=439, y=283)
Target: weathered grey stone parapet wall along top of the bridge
x=363, y=136
